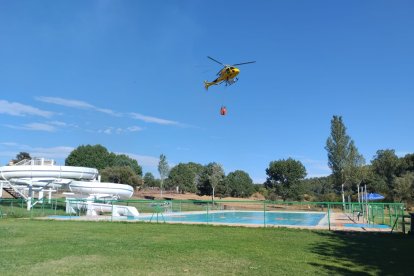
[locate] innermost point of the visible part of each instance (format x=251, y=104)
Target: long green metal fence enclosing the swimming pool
x=352, y=216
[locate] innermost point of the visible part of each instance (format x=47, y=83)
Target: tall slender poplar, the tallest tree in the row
x=343, y=157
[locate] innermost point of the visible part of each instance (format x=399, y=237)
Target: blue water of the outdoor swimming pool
x=242, y=218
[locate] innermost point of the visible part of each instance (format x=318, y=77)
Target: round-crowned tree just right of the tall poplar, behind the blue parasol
x=386, y=164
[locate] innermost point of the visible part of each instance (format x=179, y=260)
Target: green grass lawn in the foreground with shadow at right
x=37, y=247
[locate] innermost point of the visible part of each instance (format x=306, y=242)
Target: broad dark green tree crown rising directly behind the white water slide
x=96, y=156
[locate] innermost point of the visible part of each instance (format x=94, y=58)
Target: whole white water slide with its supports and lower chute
x=30, y=179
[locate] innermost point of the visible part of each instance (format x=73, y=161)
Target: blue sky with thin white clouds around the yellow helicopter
x=129, y=75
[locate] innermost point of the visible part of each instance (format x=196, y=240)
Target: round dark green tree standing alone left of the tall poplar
x=284, y=177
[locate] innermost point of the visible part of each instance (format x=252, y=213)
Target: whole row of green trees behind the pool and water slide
x=387, y=173
